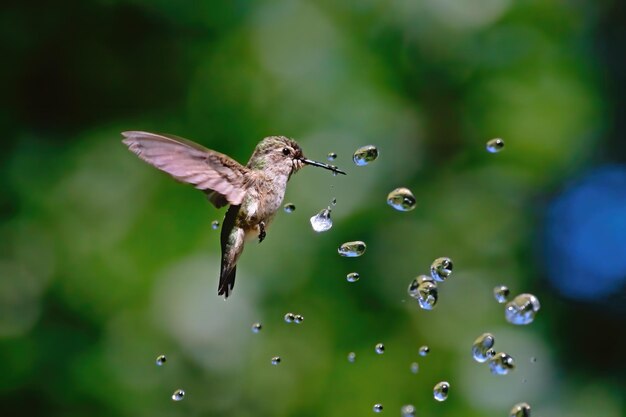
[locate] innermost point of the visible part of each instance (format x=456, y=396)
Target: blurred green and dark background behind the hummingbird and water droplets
x=107, y=263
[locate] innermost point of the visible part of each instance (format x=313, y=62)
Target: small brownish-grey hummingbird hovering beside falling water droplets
x=254, y=192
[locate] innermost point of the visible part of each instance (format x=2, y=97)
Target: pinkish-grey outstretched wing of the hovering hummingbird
x=221, y=177
